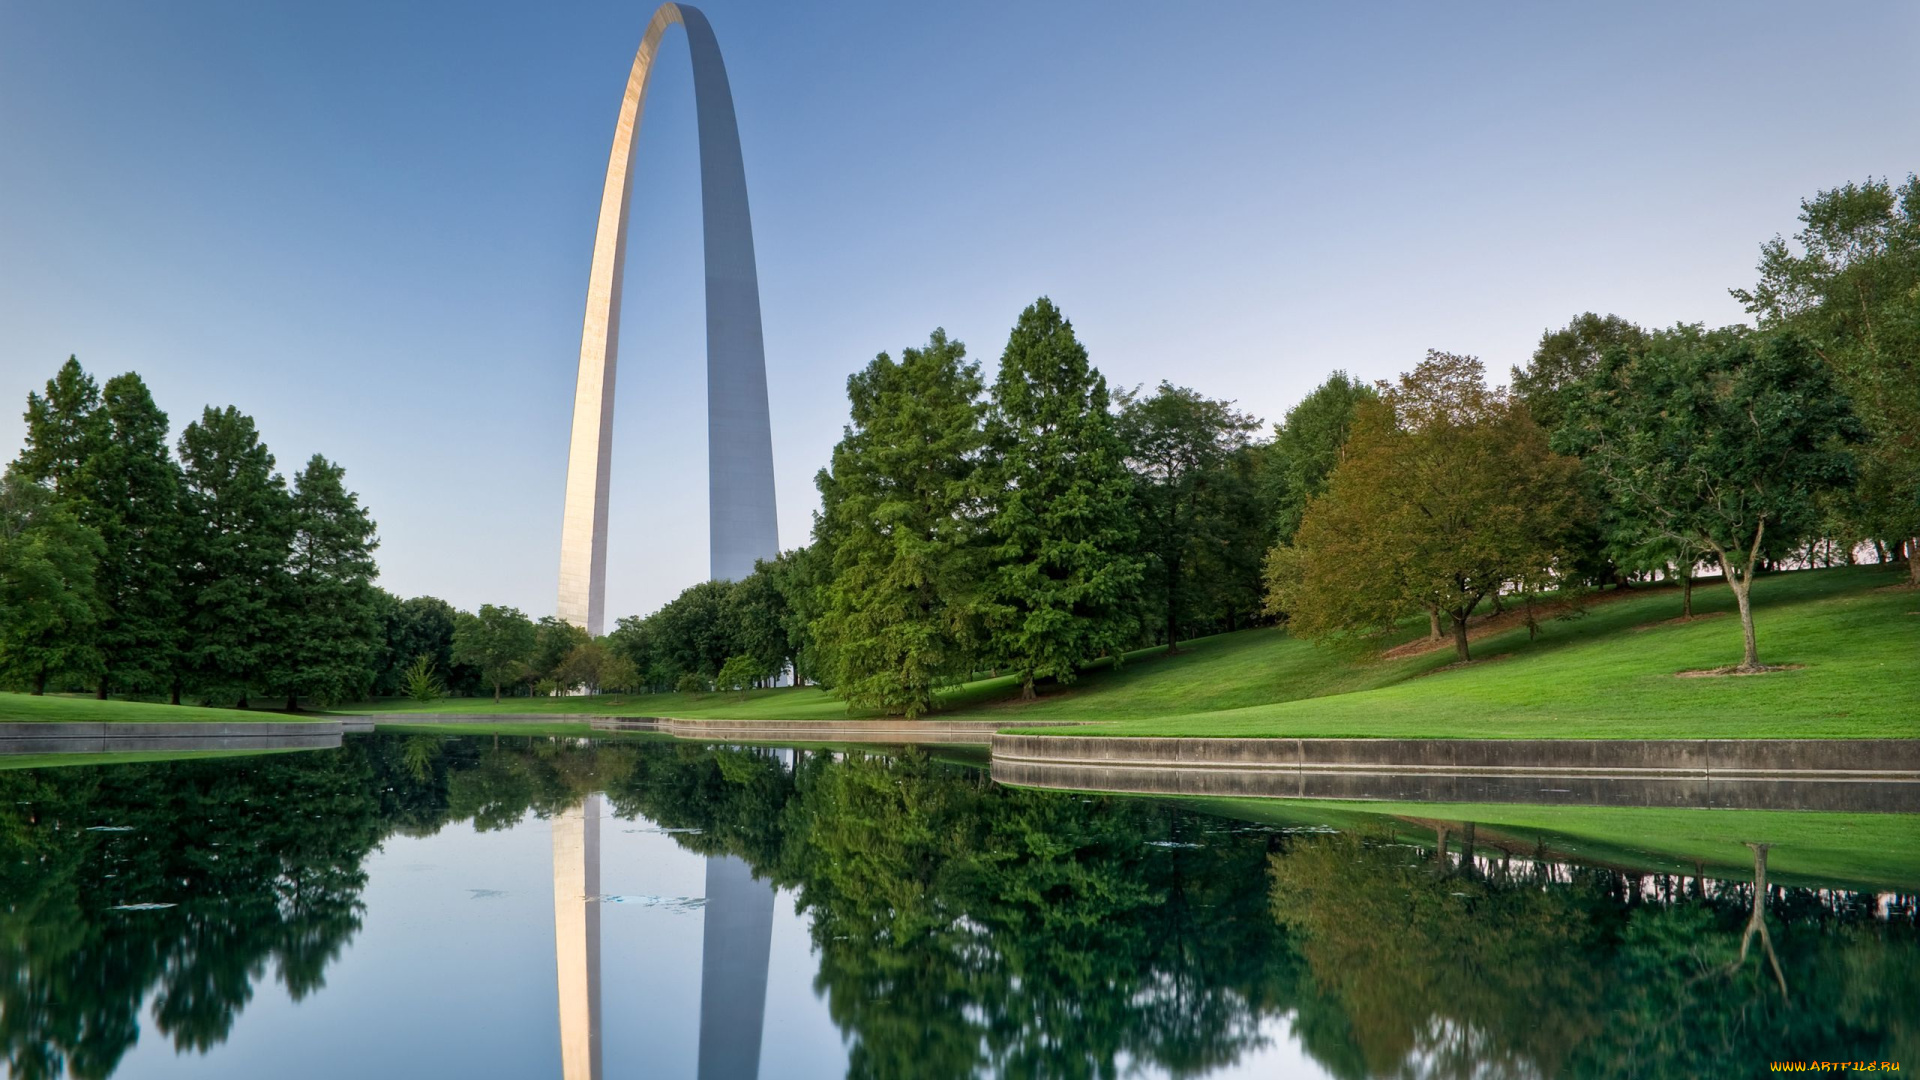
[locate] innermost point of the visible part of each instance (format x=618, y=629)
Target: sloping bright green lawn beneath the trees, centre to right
x=1608, y=670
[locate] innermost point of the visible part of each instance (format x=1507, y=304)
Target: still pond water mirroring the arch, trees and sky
x=423, y=906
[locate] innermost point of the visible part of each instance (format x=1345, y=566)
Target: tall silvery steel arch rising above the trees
x=740, y=445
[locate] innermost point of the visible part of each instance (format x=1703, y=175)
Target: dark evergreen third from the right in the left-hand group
x=132, y=495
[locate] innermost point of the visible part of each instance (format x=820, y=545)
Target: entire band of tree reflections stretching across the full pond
x=961, y=927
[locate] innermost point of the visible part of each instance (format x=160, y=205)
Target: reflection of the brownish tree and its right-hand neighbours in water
x=1470, y=975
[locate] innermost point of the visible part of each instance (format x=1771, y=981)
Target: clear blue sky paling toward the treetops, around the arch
x=370, y=224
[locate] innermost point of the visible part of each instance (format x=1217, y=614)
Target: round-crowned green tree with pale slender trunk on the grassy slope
x=1721, y=441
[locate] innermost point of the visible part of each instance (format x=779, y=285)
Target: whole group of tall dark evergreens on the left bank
x=130, y=568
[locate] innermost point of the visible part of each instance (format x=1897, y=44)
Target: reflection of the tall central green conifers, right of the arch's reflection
x=967, y=927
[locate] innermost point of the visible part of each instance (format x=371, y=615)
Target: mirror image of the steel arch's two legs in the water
x=736, y=945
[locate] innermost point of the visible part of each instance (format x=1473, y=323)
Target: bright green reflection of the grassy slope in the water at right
x=1856, y=850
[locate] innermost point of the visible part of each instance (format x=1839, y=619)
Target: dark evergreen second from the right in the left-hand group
x=239, y=526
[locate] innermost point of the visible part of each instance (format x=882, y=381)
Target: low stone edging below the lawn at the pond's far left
x=43, y=737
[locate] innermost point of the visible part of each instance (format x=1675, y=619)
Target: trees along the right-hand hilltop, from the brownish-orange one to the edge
x=1627, y=453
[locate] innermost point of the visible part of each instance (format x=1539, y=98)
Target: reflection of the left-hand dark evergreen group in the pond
x=260, y=864
